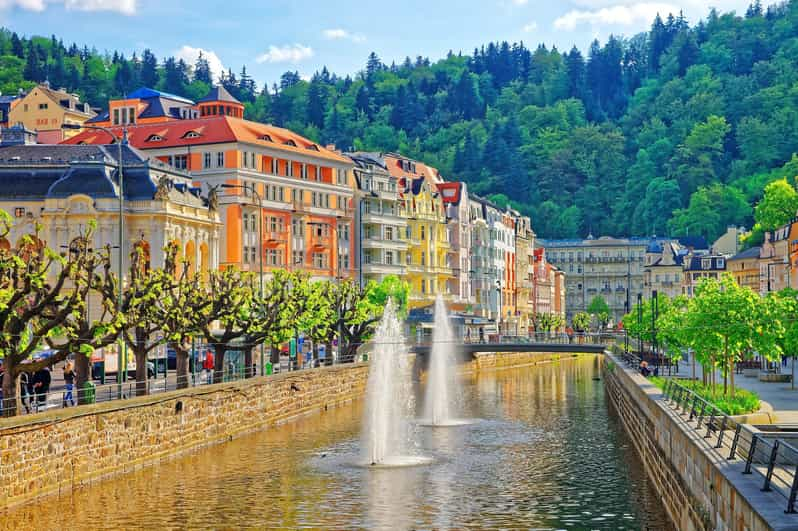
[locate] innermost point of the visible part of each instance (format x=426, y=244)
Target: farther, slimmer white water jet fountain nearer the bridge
x=442, y=386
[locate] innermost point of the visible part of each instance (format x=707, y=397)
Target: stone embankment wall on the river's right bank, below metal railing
x=699, y=488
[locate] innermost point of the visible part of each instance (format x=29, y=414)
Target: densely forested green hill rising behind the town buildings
x=671, y=131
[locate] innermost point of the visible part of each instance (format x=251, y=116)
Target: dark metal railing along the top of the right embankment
x=773, y=460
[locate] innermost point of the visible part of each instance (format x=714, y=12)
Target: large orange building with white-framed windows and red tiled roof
x=306, y=190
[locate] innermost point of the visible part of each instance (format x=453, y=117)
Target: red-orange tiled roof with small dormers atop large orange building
x=211, y=130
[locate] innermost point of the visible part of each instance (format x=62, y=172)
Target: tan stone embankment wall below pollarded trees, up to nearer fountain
x=60, y=450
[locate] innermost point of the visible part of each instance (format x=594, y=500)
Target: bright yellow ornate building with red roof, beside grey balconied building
x=429, y=266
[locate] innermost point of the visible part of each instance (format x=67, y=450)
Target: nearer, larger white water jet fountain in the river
x=389, y=398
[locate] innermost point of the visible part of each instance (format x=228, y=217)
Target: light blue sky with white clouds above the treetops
x=273, y=36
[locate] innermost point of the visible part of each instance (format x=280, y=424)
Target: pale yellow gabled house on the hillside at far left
x=45, y=110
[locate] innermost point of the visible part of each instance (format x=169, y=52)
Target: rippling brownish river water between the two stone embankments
x=545, y=453
